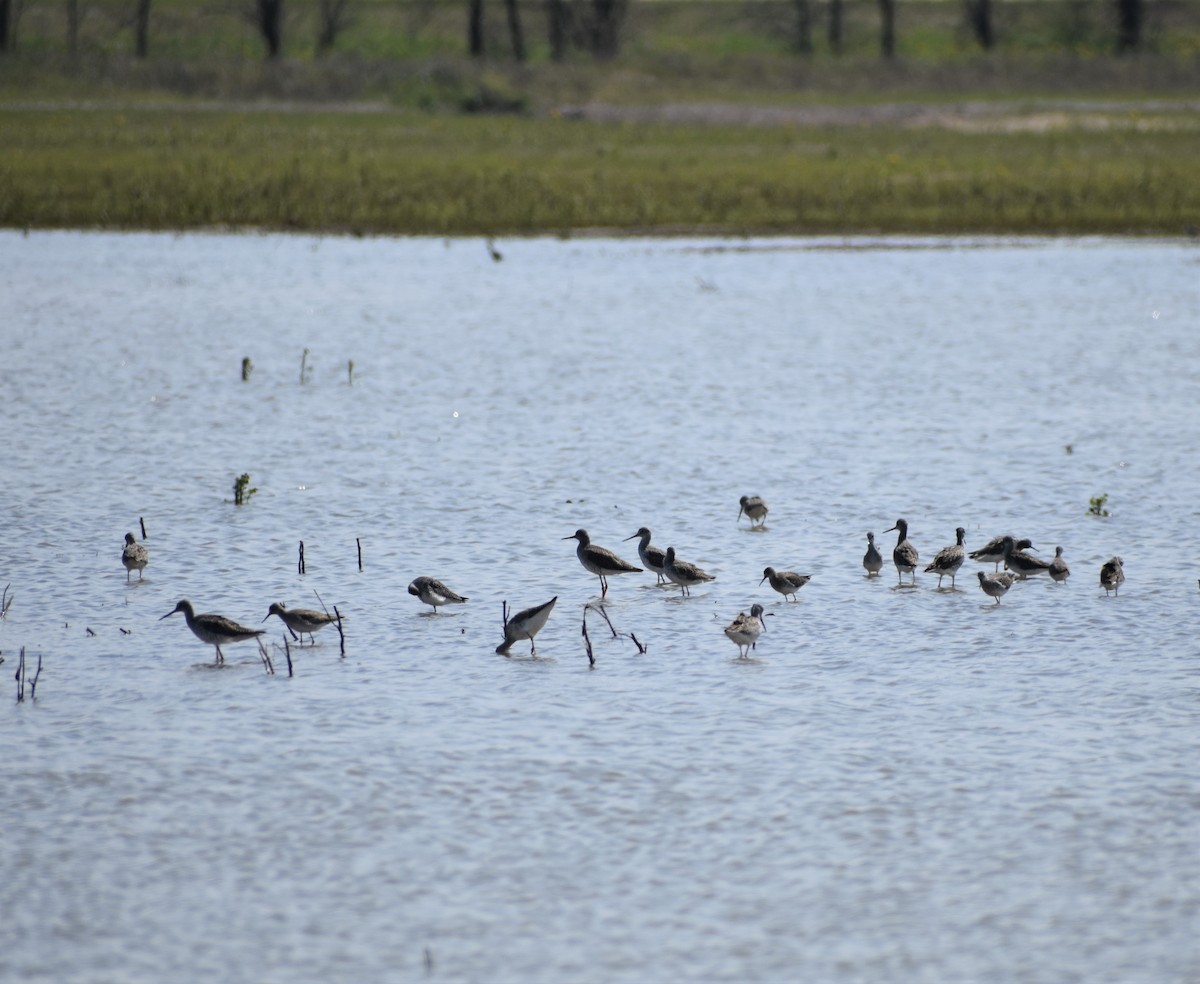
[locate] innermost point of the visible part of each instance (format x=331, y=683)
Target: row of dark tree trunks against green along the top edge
x=562, y=31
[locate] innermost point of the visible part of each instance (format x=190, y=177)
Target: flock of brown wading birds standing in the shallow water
x=745, y=631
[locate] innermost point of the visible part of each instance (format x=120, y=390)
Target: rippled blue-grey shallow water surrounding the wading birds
x=899, y=785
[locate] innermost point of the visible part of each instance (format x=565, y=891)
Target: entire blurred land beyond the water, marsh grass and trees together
x=523, y=117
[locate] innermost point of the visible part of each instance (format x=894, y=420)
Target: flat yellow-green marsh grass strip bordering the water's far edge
x=410, y=173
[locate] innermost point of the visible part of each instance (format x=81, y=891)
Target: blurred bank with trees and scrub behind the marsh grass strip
x=536, y=55
